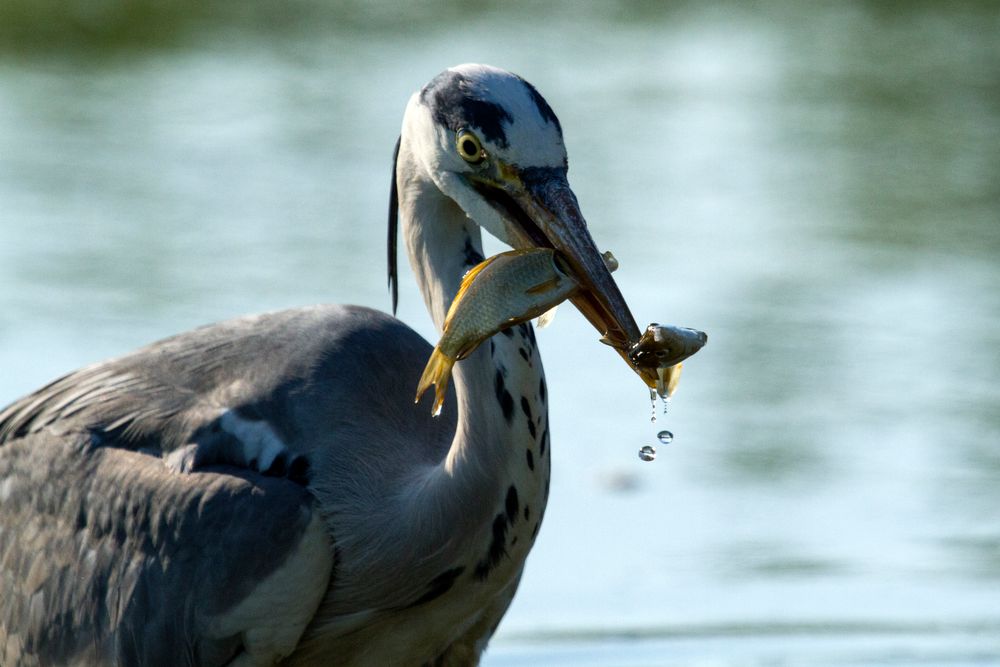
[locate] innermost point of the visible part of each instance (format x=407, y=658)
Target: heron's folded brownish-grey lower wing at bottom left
x=107, y=557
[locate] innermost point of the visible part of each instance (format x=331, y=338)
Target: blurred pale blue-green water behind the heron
x=816, y=185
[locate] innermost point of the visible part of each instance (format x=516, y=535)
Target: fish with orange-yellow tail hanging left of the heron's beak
x=502, y=291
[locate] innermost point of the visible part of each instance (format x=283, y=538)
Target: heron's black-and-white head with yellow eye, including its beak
x=492, y=144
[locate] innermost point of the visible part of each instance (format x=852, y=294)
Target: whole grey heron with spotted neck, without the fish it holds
x=264, y=490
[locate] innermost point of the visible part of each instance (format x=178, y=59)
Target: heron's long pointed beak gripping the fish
x=543, y=212
